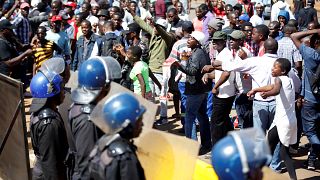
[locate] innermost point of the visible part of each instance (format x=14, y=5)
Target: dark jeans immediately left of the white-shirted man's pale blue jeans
x=244, y=111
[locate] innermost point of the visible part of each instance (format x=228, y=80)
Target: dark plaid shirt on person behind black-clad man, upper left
x=23, y=28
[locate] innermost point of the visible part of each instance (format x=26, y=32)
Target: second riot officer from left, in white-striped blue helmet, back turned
x=94, y=77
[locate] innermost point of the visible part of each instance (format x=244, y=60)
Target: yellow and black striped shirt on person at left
x=43, y=53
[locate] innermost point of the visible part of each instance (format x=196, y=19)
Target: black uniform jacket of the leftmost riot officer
x=49, y=141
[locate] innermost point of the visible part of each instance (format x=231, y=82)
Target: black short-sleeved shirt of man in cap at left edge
x=7, y=52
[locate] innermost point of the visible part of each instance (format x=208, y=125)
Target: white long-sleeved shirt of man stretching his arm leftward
x=258, y=67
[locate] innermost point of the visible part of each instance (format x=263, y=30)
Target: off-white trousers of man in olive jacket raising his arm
x=162, y=93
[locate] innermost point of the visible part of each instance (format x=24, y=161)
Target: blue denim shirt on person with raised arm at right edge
x=311, y=61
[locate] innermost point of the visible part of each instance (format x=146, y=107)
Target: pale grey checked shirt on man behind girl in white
x=287, y=49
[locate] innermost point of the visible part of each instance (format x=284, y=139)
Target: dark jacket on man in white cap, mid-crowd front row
x=195, y=63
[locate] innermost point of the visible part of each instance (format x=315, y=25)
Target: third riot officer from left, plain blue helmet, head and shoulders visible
x=114, y=156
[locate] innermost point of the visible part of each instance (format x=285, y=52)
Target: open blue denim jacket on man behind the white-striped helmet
x=83, y=54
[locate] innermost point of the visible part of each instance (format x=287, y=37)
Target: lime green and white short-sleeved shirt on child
x=142, y=68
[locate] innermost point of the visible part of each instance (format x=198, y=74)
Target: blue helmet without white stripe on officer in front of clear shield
x=117, y=112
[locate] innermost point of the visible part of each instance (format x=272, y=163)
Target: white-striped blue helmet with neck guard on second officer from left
x=94, y=74
